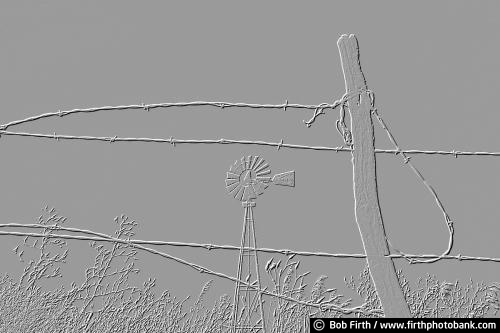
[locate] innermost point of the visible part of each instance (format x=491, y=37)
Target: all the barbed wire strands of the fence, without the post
x=318, y=110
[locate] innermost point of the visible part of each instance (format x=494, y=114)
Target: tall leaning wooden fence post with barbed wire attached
x=367, y=209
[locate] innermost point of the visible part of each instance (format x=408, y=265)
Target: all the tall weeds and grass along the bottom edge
x=108, y=301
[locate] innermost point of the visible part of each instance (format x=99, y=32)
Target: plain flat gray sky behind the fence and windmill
x=432, y=64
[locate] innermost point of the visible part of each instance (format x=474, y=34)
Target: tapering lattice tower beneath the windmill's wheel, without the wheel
x=248, y=309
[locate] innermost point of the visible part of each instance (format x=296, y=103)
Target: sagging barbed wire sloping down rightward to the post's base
x=201, y=269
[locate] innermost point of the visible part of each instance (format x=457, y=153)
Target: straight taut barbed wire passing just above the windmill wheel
x=281, y=144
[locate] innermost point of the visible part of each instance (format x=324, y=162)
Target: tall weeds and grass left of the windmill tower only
x=106, y=300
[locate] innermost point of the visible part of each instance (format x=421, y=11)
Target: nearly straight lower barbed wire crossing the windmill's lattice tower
x=288, y=252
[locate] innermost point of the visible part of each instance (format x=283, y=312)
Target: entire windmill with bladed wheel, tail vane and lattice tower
x=245, y=181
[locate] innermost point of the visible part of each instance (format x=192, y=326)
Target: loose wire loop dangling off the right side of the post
x=406, y=160
